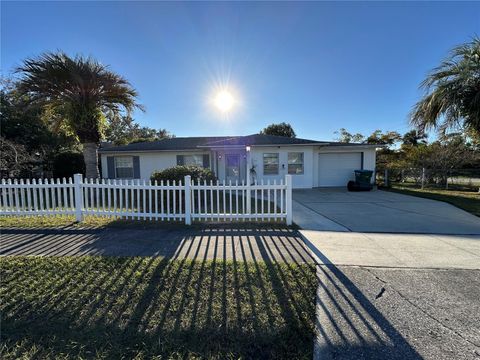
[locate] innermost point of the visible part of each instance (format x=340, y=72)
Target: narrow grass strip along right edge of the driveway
x=465, y=198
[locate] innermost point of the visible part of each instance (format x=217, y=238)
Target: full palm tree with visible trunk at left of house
x=80, y=90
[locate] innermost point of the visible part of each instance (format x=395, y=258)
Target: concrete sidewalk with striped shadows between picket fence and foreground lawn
x=221, y=243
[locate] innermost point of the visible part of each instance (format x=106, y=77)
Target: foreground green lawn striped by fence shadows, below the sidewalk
x=98, y=307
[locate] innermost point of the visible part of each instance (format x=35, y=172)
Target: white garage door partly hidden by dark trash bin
x=336, y=169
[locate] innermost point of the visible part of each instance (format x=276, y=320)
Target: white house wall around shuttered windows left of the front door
x=149, y=162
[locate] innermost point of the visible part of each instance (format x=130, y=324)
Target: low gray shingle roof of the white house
x=198, y=143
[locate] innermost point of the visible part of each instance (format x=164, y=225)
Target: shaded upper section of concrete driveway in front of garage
x=337, y=209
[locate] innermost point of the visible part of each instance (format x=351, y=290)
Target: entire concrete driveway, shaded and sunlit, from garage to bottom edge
x=398, y=275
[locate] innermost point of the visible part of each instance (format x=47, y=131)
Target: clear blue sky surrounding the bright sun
x=319, y=66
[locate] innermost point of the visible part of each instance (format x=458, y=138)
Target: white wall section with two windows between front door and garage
x=304, y=180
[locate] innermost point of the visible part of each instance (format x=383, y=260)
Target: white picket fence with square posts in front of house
x=138, y=199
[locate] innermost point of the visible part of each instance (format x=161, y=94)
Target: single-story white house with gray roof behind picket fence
x=311, y=163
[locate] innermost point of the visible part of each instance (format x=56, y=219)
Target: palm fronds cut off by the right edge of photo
x=452, y=92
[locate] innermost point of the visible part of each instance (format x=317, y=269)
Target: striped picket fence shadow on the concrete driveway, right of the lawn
x=348, y=324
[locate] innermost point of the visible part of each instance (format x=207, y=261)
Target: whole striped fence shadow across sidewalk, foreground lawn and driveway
x=260, y=303
